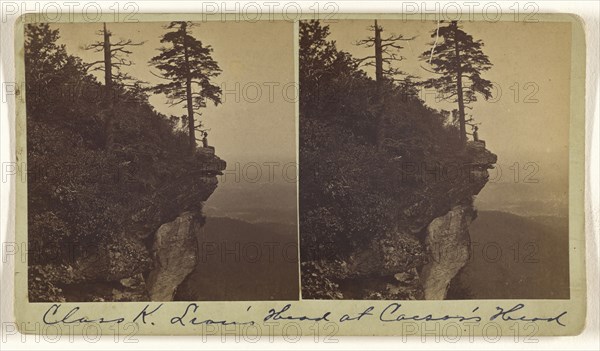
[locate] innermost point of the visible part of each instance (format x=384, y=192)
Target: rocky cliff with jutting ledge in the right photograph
x=426, y=248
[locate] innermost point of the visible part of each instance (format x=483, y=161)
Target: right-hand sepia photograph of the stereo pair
x=434, y=159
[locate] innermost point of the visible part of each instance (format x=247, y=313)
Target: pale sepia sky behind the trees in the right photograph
x=521, y=53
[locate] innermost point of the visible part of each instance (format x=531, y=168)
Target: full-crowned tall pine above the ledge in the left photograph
x=189, y=67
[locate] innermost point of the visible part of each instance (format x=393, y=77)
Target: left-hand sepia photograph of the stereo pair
x=162, y=161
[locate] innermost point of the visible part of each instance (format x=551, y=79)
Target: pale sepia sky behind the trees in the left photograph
x=257, y=56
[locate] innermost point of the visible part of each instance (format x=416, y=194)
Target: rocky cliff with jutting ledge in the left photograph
x=155, y=249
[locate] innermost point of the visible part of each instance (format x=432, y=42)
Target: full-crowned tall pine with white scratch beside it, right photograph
x=459, y=61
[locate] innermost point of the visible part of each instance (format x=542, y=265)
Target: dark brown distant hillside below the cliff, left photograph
x=243, y=261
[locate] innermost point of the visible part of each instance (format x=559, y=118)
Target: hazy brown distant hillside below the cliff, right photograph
x=515, y=257
